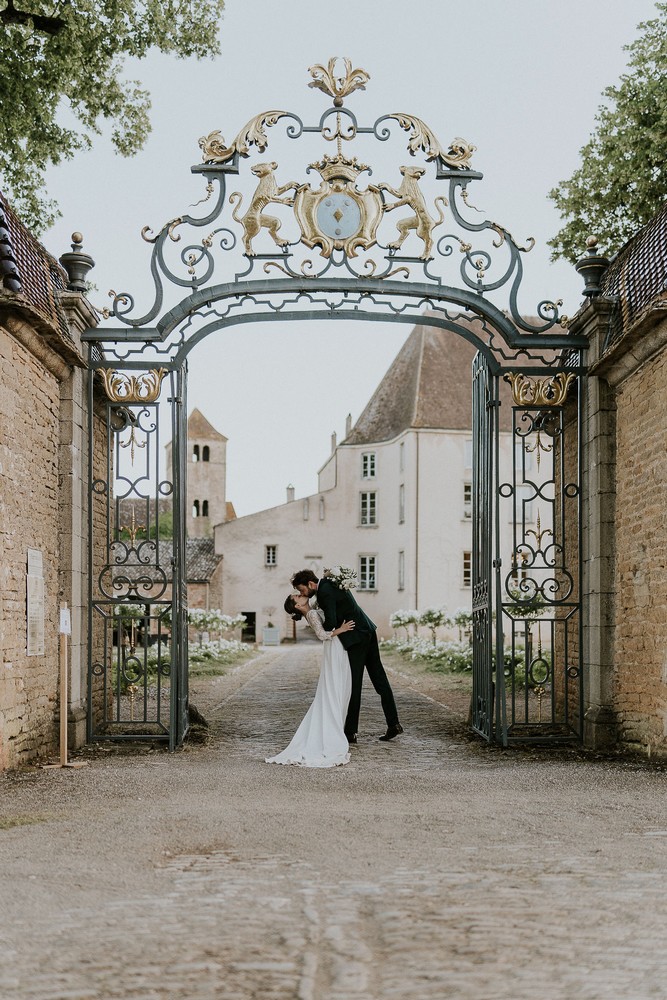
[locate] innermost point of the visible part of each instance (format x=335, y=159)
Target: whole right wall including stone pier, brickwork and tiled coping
x=624, y=538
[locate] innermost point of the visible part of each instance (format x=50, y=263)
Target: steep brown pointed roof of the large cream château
x=429, y=384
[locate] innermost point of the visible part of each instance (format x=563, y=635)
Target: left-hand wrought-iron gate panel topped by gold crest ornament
x=138, y=678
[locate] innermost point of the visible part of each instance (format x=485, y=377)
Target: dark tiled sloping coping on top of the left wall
x=29, y=271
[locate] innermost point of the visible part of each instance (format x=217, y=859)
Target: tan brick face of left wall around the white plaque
x=29, y=518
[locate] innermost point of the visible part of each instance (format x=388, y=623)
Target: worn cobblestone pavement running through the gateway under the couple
x=432, y=867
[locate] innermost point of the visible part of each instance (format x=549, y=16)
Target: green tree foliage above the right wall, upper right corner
x=622, y=180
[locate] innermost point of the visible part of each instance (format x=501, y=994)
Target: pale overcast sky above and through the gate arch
x=521, y=79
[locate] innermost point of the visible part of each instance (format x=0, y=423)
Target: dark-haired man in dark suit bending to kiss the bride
x=361, y=644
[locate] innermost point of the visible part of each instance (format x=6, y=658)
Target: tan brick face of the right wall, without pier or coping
x=640, y=667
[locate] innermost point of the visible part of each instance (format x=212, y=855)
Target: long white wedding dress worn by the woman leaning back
x=320, y=741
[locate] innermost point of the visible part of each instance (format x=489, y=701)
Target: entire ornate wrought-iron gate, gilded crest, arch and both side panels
x=311, y=262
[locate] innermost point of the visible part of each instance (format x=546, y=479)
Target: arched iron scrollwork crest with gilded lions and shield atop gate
x=342, y=220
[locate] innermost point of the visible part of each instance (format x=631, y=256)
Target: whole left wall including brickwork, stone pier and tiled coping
x=43, y=494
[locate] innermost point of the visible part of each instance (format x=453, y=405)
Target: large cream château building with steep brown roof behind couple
x=393, y=499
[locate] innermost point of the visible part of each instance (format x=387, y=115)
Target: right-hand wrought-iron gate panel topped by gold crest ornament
x=540, y=590
